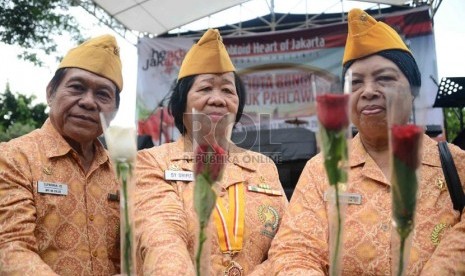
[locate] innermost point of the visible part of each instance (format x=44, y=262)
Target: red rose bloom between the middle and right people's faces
x=333, y=110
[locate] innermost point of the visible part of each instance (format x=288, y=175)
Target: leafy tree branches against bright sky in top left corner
x=33, y=24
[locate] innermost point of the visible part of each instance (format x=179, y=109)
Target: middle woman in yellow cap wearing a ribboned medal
x=166, y=222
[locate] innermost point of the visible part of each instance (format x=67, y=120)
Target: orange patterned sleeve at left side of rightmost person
x=300, y=246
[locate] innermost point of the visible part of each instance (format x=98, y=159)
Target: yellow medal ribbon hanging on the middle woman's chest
x=230, y=224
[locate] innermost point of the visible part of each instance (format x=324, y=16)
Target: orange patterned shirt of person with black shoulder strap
x=301, y=245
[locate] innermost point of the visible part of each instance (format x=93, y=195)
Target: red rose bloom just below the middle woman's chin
x=210, y=161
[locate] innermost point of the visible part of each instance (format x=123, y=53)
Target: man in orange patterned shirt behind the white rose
x=55, y=214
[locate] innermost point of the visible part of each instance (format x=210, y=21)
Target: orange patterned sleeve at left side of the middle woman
x=161, y=222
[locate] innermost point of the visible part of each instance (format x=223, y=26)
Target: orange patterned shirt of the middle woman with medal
x=166, y=223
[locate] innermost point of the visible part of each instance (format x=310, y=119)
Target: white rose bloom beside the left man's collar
x=121, y=142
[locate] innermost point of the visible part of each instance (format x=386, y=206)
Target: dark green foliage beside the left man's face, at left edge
x=19, y=115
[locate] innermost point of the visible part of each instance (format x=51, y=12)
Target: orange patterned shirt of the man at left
x=44, y=234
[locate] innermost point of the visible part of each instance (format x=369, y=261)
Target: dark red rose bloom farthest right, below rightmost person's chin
x=406, y=142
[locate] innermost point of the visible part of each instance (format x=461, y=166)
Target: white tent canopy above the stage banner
x=155, y=17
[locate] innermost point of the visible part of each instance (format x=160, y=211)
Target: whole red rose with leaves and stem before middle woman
x=208, y=167
